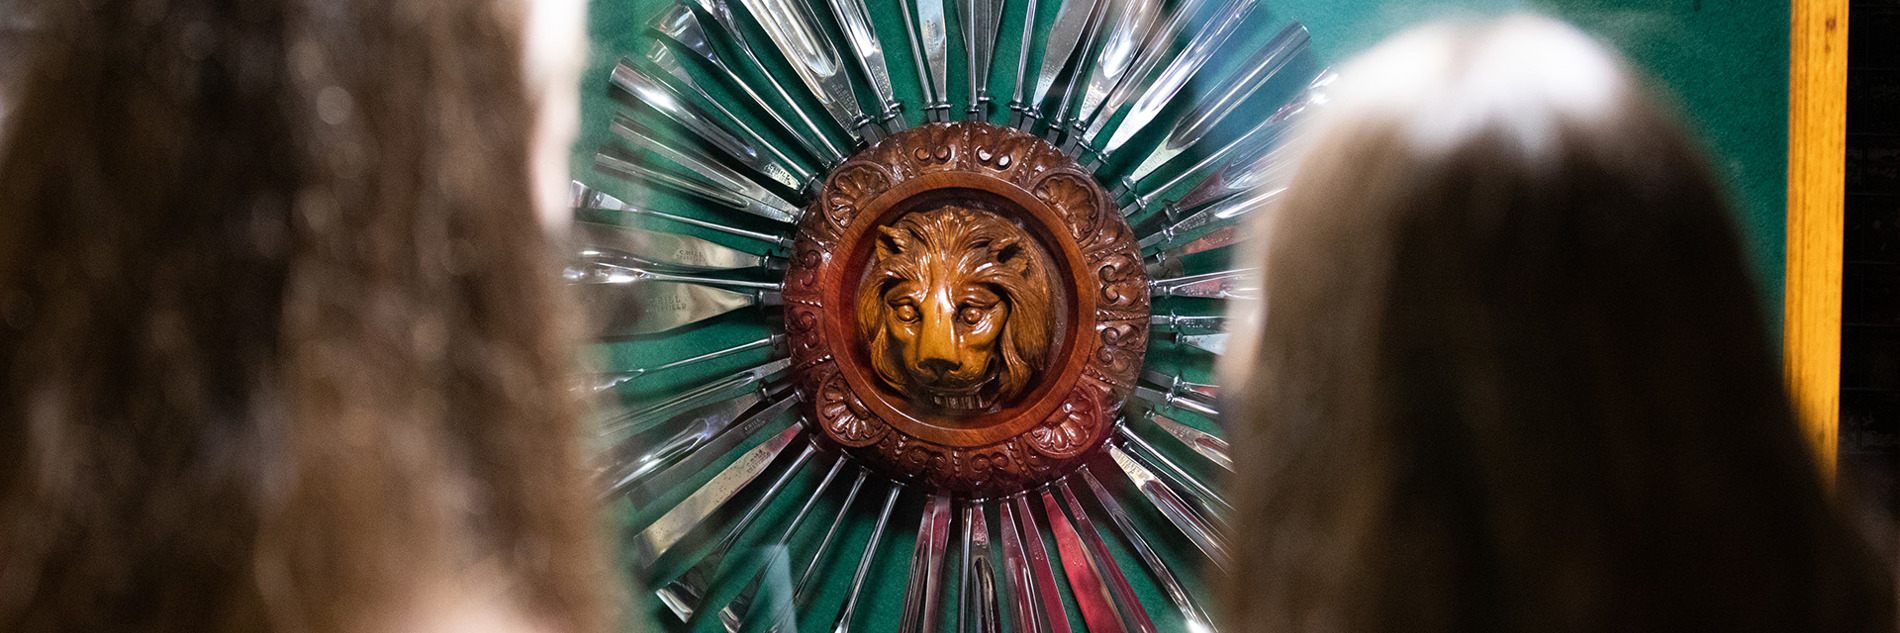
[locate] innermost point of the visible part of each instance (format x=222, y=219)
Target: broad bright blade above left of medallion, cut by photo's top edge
x=793, y=28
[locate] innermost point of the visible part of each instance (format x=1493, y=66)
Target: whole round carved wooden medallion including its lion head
x=966, y=309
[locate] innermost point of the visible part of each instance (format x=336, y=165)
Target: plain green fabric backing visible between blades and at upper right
x=1726, y=64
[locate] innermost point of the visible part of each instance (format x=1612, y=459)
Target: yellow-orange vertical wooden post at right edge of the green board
x=1817, y=155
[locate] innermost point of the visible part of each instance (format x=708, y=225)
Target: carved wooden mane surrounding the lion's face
x=981, y=248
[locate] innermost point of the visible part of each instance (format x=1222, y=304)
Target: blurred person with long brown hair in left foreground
x=280, y=334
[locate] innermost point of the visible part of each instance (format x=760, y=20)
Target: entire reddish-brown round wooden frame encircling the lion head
x=1103, y=318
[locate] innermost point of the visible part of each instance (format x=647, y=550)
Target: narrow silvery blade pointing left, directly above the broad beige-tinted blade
x=660, y=250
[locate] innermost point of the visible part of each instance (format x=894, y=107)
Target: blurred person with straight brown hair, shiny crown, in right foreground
x=1510, y=372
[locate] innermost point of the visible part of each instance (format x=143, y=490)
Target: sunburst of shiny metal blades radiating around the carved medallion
x=748, y=512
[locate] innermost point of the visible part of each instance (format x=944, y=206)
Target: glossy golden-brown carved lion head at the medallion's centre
x=957, y=309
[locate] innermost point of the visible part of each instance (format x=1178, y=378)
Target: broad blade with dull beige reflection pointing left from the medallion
x=655, y=307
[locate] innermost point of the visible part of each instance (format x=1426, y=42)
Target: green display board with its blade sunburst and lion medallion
x=738, y=476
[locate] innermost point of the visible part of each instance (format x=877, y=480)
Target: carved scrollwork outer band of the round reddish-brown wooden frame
x=972, y=157
